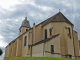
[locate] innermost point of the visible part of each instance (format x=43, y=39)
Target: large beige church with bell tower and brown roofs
x=53, y=37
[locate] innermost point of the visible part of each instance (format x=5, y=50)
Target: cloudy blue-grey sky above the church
x=13, y=12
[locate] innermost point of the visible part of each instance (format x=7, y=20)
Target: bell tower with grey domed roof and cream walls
x=25, y=26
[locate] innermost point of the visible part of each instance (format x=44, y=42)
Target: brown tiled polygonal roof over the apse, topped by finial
x=59, y=17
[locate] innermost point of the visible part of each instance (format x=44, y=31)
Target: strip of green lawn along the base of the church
x=36, y=58
